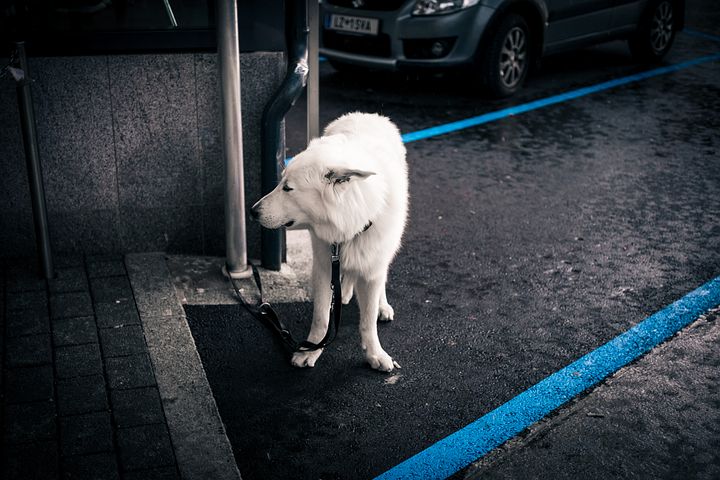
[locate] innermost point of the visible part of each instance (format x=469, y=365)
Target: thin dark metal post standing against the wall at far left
x=32, y=157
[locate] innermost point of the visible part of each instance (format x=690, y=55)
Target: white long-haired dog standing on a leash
x=348, y=187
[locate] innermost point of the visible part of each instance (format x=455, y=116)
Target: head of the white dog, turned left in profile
x=316, y=193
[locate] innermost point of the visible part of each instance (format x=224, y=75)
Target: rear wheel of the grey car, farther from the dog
x=655, y=33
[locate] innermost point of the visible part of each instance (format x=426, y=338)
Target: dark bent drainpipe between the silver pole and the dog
x=273, y=151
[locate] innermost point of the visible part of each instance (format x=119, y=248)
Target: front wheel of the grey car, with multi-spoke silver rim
x=507, y=57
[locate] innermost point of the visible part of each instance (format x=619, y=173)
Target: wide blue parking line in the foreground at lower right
x=455, y=452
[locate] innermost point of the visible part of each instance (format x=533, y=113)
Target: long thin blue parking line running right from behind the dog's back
x=544, y=102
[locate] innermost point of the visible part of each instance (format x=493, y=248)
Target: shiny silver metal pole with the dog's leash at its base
x=229, y=59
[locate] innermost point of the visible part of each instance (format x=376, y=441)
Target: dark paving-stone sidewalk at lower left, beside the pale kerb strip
x=79, y=397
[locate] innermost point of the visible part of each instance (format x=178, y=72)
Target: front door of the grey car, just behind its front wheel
x=573, y=22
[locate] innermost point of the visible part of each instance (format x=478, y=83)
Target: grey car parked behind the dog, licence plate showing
x=498, y=40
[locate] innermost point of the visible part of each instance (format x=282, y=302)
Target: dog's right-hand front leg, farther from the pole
x=368, y=294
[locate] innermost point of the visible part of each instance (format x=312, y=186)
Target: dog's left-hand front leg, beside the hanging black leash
x=322, y=294
